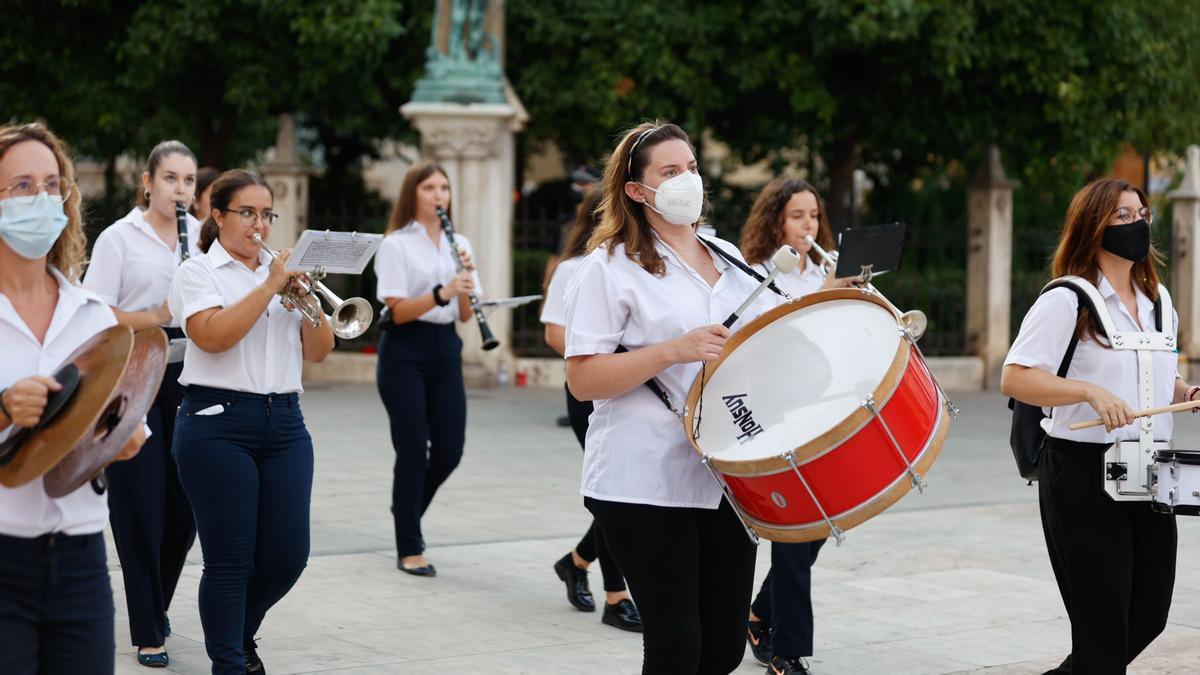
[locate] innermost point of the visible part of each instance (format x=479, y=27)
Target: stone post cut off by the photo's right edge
x=1185, y=261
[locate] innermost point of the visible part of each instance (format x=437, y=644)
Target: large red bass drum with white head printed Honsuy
x=819, y=415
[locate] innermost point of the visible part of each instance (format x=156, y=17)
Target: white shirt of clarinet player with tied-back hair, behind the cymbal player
x=131, y=268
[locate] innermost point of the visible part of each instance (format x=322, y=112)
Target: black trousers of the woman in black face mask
x=1114, y=561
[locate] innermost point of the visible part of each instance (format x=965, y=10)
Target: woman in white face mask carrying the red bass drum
x=652, y=286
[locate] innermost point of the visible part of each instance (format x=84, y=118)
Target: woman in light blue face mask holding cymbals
x=57, y=614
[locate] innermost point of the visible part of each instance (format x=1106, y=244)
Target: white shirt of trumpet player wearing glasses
x=269, y=359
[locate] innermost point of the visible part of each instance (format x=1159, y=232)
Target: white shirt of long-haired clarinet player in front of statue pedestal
x=410, y=265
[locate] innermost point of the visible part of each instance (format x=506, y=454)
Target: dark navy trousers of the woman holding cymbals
x=57, y=610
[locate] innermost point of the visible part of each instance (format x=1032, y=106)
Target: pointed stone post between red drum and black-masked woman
x=989, y=265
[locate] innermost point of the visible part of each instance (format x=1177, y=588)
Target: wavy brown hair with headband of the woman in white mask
x=623, y=222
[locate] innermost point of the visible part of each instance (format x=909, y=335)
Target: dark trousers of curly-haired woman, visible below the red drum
x=785, y=600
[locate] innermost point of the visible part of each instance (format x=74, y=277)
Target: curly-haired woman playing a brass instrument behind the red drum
x=788, y=212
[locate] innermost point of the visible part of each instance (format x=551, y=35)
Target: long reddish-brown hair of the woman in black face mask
x=1079, y=247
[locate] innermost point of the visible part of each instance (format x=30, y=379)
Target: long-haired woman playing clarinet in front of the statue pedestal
x=419, y=372
